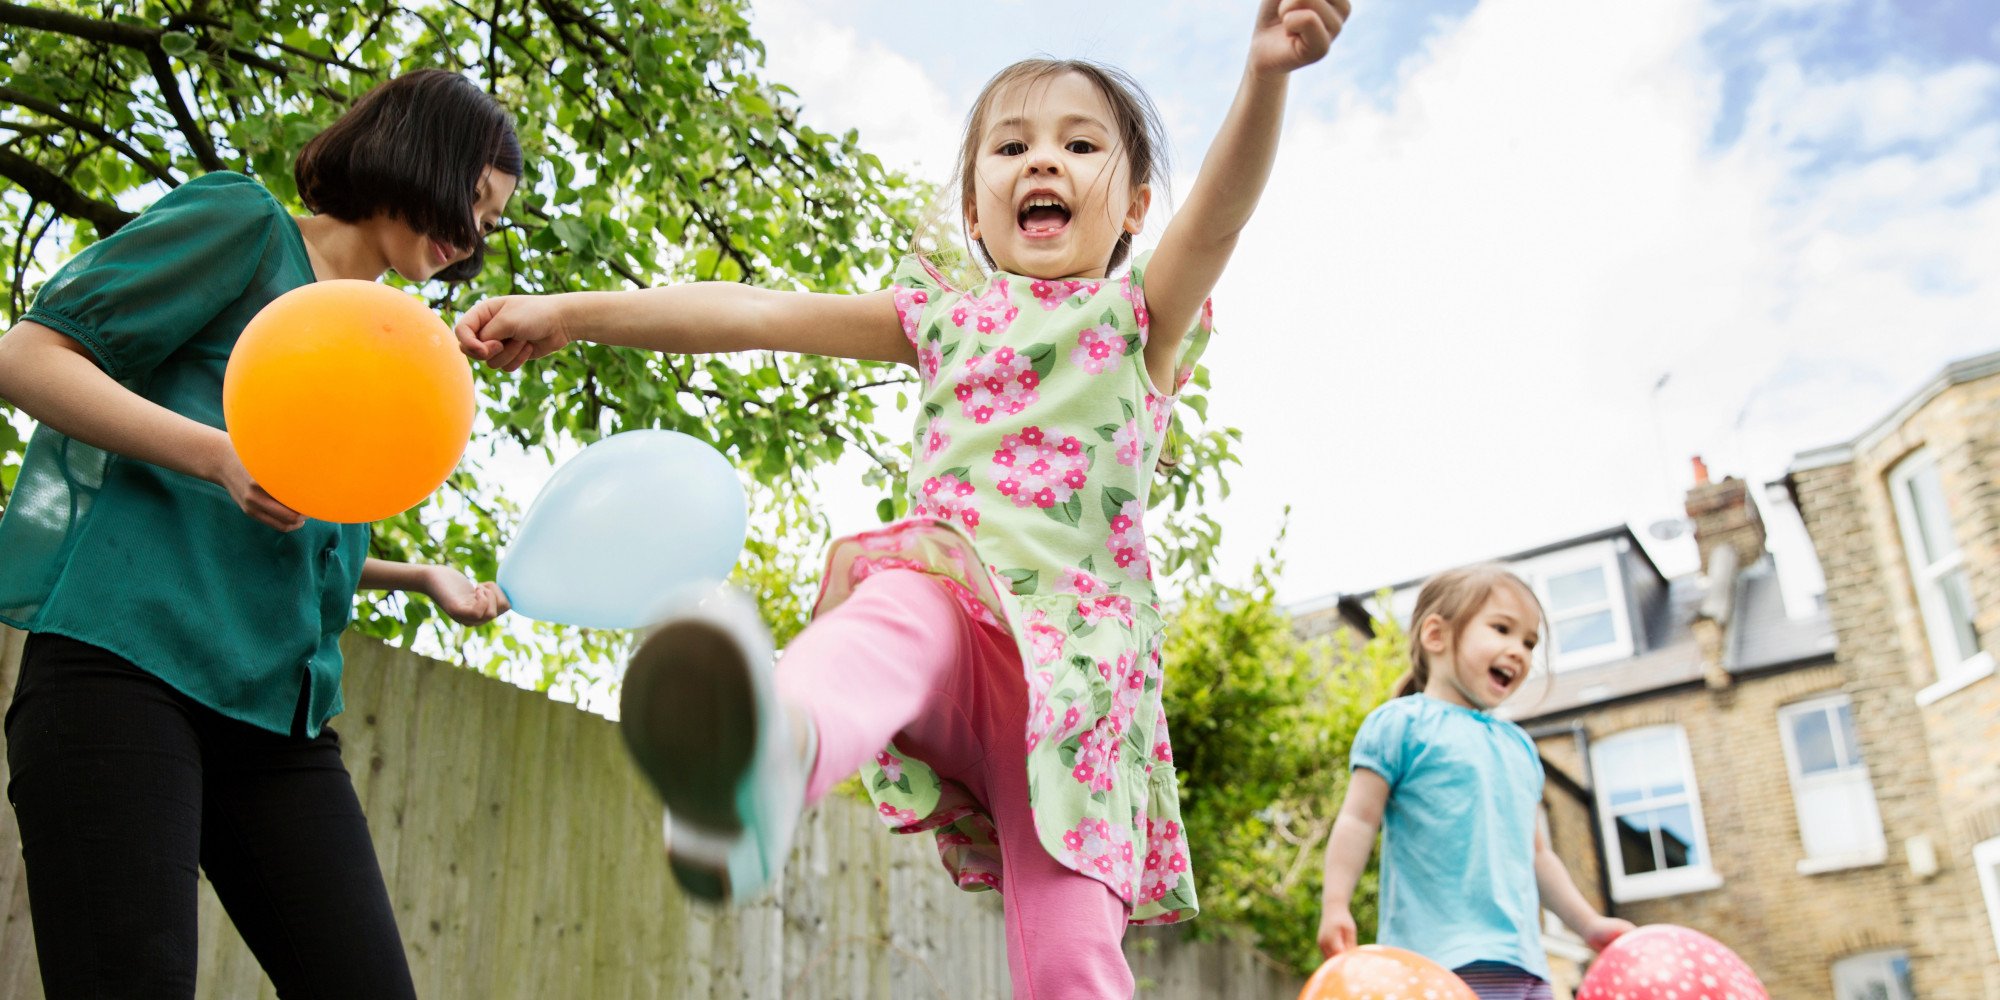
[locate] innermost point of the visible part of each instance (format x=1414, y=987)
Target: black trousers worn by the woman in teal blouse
x=123, y=787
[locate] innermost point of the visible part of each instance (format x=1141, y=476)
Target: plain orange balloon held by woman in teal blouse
x=349, y=401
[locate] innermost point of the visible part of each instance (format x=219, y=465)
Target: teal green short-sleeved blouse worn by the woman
x=157, y=567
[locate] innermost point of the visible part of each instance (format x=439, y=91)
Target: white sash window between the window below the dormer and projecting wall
x=1839, y=821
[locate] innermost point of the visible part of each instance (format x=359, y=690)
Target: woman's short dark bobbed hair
x=415, y=149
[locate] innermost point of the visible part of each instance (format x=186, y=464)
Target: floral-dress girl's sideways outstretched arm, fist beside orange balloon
x=687, y=319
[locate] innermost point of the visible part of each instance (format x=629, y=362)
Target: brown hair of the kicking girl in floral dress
x=1141, y=135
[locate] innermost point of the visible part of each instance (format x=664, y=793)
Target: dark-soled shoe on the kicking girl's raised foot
x=703, y=721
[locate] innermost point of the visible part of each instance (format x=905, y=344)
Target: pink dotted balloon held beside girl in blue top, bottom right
x=1661, y=961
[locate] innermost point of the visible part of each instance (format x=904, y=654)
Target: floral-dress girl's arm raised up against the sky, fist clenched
x=1203, y=235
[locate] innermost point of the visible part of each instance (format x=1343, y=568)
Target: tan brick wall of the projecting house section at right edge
x=1887, y=651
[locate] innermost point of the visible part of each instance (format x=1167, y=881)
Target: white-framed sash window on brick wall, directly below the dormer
x=1653, y=815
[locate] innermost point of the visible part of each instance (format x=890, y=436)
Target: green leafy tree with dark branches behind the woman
x=657, y=149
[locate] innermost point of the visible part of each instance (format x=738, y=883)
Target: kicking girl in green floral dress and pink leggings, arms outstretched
x=993, y=661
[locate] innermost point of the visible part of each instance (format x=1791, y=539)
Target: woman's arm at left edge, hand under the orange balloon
x=55, y=381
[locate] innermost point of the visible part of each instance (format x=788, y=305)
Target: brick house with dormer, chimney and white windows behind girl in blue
x=1809, y=783
